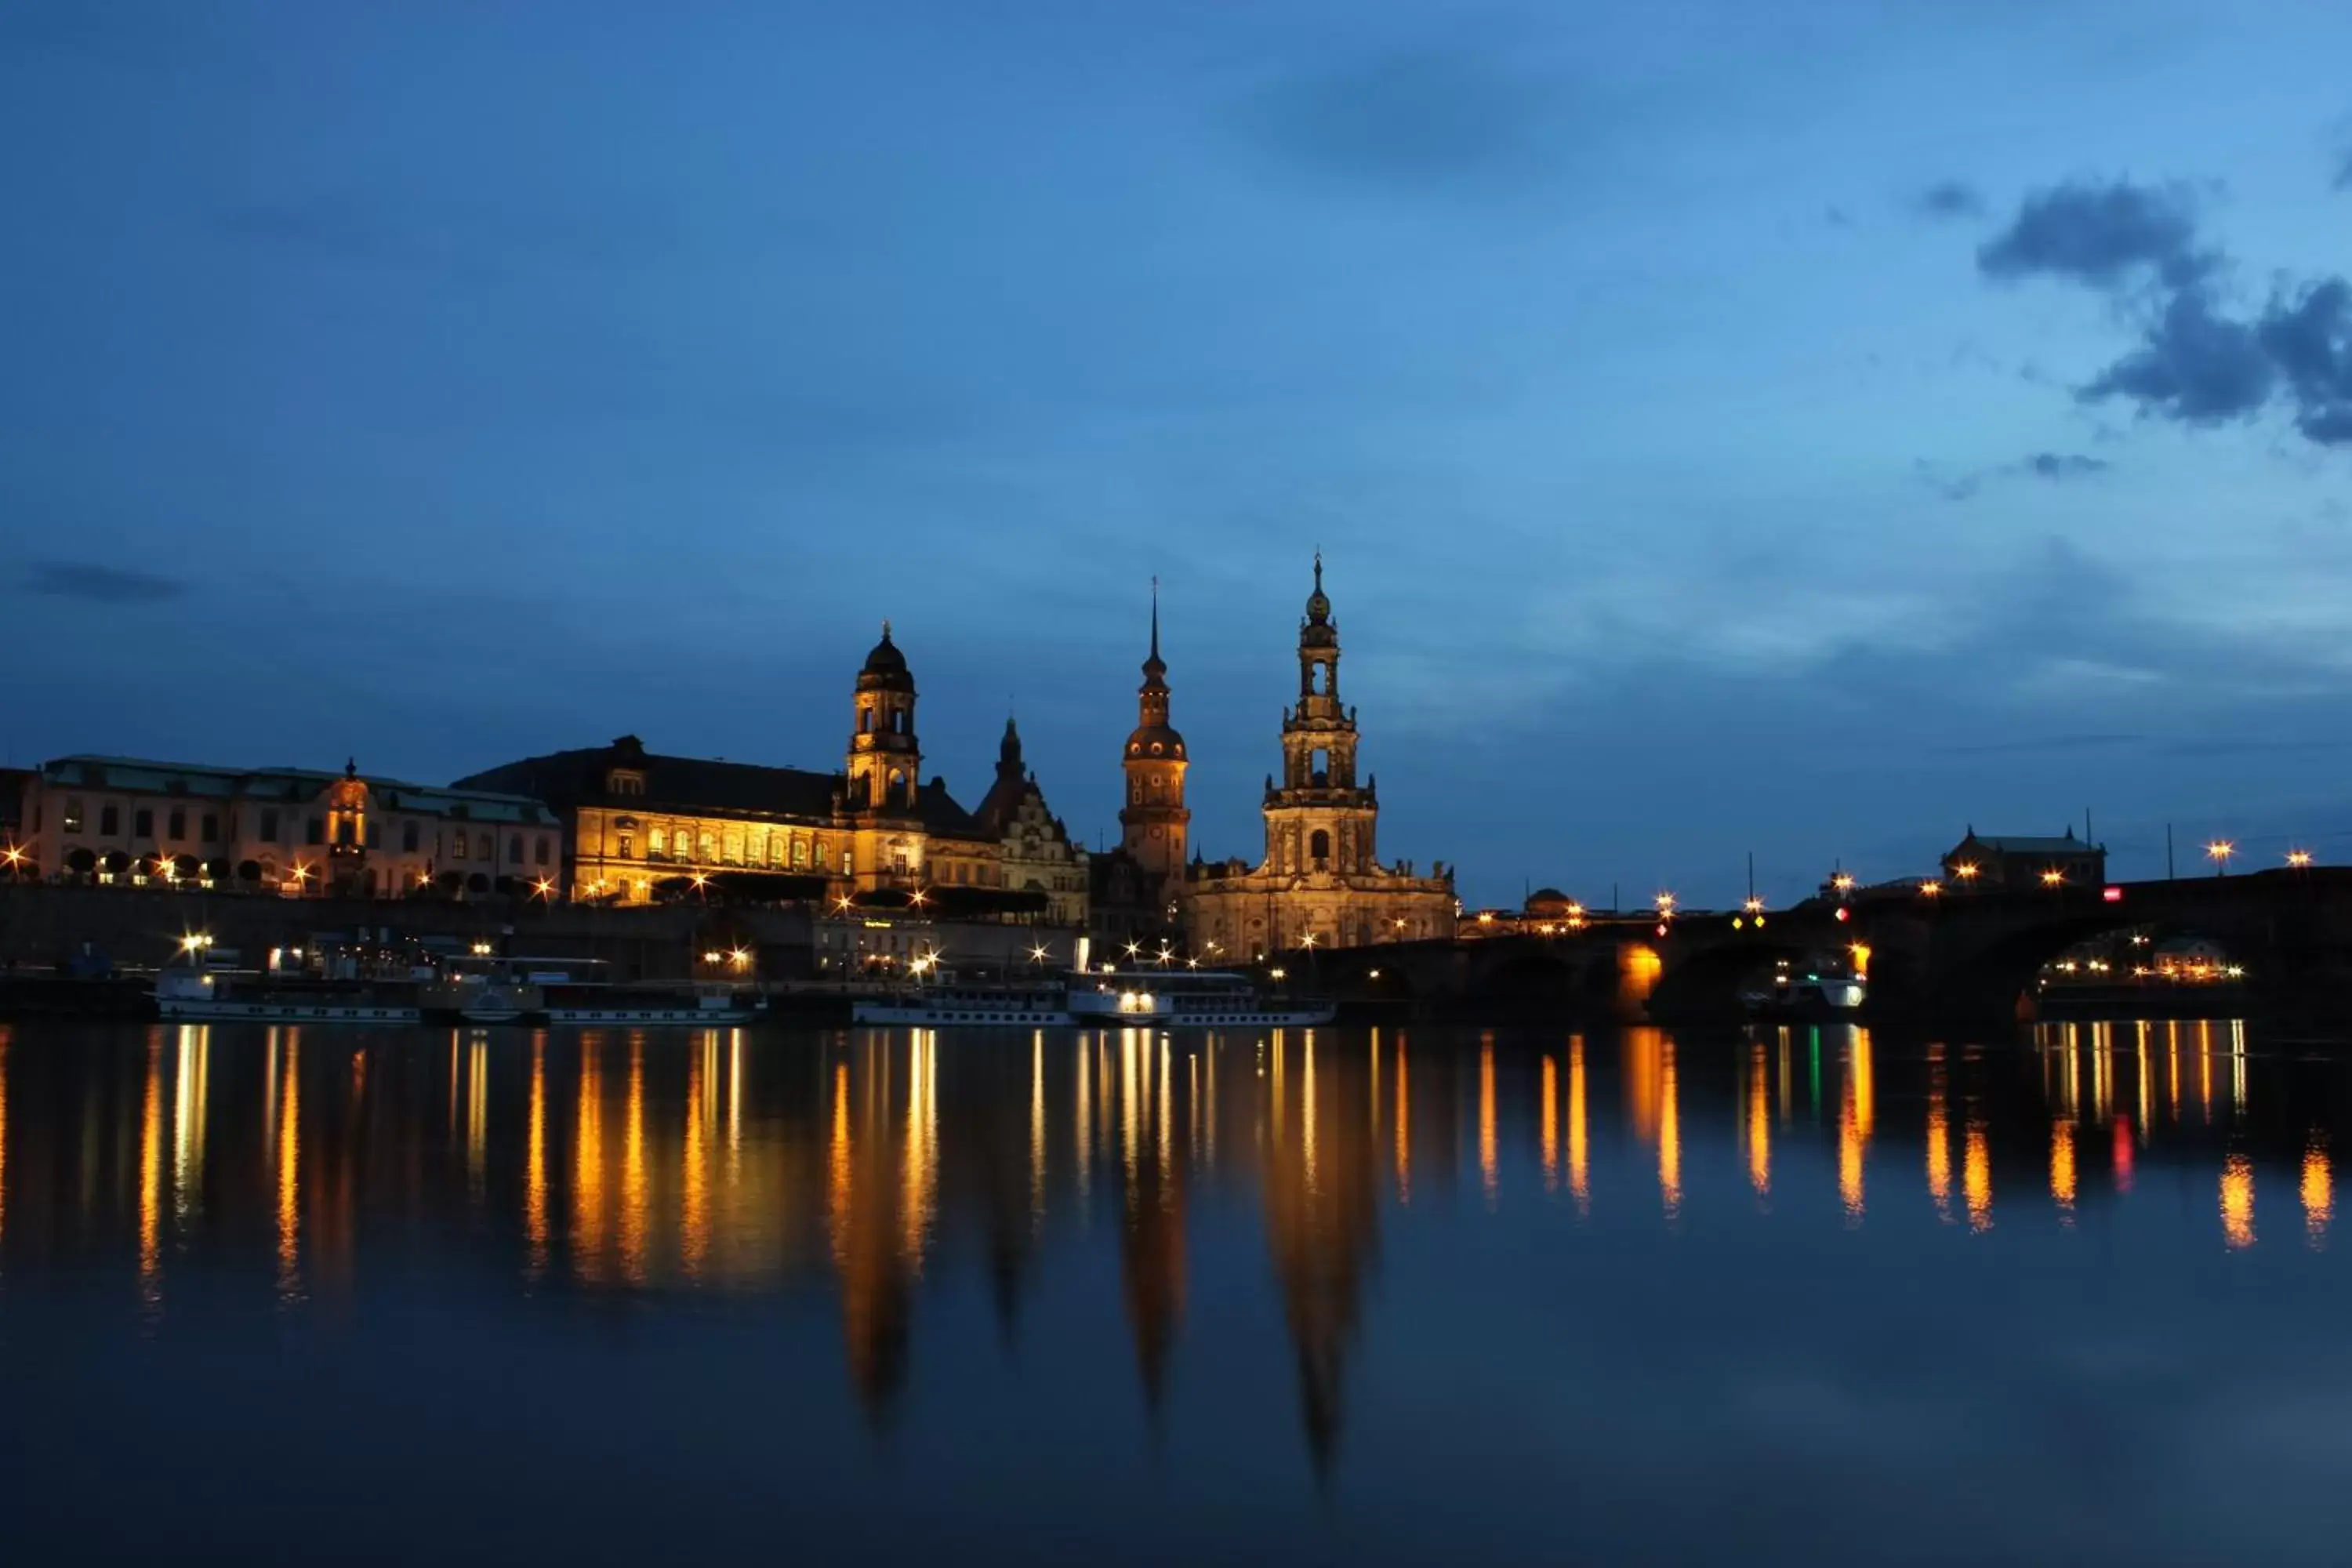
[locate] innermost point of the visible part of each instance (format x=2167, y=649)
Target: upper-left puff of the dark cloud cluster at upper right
x=2102, y=236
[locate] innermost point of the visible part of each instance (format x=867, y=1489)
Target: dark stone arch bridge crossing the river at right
x=1960, y=953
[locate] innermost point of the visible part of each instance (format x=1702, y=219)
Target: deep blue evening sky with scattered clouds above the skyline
x=1800, y=429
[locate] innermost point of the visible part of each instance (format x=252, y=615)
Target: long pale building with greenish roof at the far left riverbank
x=276, y=831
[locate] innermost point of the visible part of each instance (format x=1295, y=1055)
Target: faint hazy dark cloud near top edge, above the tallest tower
x=1422, y=121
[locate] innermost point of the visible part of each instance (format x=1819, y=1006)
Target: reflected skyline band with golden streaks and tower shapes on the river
x=874, y=1165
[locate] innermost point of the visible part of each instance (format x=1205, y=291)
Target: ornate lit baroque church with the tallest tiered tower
x=1321, y=883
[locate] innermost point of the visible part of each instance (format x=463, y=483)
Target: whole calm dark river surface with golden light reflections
x=1342, y=1294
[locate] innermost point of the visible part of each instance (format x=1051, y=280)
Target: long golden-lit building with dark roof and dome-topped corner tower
x=643, y=826
